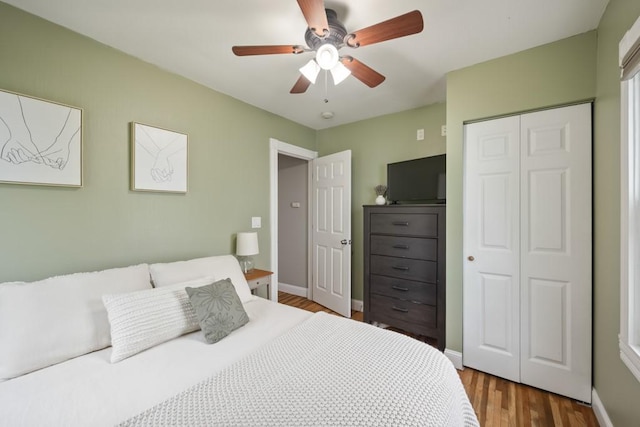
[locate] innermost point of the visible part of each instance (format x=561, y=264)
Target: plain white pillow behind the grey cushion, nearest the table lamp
x=219, y=267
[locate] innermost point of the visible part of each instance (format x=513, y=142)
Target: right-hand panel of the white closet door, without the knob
x=556, y=250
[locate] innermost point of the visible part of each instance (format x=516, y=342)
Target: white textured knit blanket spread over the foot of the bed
x=327, y=371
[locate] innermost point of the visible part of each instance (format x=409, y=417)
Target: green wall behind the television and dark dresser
x=374, y=143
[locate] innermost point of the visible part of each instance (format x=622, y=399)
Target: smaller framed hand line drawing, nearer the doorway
x=158, y=159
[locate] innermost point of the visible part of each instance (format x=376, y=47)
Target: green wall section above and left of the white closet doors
x=553, y=74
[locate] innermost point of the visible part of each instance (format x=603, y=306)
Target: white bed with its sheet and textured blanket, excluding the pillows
x=89, y=390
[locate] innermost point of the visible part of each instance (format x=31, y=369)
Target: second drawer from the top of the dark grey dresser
x=405, y=247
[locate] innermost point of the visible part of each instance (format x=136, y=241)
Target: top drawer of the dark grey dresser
x=405, y=224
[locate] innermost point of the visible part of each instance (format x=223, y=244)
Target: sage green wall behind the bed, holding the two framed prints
x=51, y=230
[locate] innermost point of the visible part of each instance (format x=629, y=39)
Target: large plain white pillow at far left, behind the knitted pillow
x=47, y=322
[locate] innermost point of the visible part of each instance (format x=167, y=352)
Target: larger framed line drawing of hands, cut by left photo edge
x=40, y=141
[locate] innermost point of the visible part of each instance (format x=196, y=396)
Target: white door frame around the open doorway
x=278, y=147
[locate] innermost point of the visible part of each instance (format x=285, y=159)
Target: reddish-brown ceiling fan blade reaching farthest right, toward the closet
x=400, y=26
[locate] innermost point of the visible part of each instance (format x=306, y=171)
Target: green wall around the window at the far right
x=616, y=386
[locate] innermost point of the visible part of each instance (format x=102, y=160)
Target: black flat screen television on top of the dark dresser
x=418, y=181
